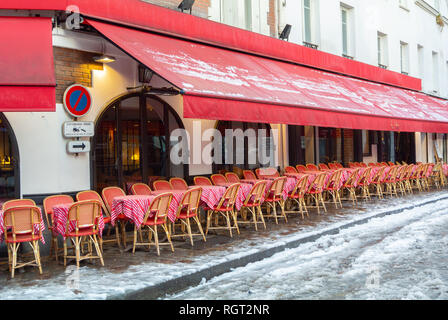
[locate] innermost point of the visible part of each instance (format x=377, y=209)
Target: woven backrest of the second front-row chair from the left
x=85, y=213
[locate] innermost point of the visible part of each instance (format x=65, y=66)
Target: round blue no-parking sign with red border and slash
x=77, y=100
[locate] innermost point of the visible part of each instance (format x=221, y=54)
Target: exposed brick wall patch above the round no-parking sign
x=73, y=66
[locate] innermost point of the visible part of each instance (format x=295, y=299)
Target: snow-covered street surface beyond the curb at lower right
x=401, y=256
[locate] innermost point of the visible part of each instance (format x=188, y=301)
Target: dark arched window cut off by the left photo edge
x=9, y=162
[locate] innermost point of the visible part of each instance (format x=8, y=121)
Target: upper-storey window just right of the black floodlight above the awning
x=310, y=23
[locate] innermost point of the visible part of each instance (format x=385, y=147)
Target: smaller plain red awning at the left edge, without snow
x=27, y=80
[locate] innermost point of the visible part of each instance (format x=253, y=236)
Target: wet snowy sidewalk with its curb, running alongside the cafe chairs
x=144, y=275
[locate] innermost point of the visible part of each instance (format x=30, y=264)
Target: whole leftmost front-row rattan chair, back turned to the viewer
x=19, y=223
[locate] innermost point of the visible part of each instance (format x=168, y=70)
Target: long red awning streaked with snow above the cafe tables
x=222, y=84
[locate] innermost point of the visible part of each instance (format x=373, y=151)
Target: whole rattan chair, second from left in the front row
x=85, y=214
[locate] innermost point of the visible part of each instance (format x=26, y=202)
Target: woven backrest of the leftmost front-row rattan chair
x=21, y=220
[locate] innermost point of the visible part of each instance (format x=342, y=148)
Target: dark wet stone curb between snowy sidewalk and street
x=192, y=279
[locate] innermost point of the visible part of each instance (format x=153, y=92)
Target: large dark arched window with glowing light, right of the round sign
x=131, y=142
